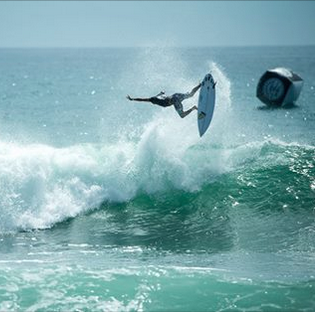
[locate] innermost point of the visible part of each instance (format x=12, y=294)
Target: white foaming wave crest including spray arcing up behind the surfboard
x=42, y=185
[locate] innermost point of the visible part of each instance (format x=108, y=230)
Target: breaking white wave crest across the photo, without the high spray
x=42, y=185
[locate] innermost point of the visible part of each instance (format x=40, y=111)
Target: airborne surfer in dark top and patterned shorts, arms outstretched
x=176, y=99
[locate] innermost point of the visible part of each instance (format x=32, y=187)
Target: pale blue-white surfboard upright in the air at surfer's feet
x=206, y=103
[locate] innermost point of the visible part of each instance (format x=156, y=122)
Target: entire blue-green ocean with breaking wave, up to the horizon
x=112, y=205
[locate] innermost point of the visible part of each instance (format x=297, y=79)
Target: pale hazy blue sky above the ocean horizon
x=143, y=23
